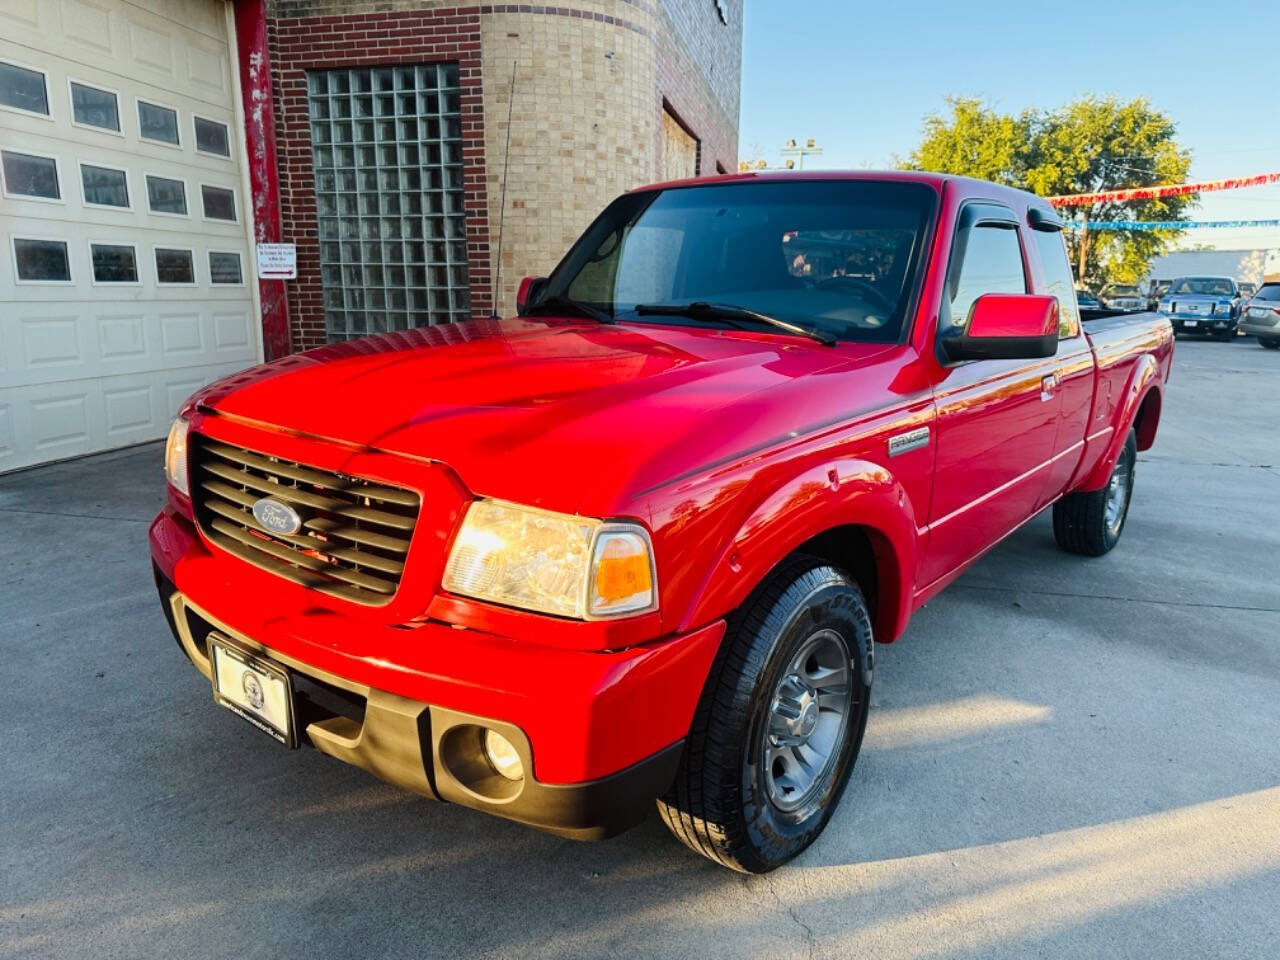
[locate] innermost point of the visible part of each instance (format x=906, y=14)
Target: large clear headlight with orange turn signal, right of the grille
x=556, y=564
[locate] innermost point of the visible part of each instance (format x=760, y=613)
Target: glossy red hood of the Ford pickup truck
x=564, y=414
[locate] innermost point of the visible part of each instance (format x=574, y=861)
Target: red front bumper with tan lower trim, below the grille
x=600, y=733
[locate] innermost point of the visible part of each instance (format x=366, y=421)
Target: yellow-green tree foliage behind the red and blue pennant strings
x=1080, y=148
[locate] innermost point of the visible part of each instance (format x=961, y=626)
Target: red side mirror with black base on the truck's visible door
x=1007, y=327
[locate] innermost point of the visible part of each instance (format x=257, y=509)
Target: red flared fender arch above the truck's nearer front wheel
x=839, y=493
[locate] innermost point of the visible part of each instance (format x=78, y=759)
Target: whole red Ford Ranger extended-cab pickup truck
x=636, y=545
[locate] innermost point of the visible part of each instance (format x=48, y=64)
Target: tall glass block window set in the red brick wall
x=387, y=148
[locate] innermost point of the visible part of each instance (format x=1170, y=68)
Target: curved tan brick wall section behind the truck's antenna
x=582, y=130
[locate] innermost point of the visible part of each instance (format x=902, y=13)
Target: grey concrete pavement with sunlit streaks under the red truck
x=1066, y=758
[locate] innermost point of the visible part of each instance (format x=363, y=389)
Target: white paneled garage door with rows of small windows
x=125, y=278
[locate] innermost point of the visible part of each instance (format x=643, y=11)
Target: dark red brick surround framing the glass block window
x=419, y=36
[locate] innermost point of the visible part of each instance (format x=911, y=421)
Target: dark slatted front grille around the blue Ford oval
x=355, y=533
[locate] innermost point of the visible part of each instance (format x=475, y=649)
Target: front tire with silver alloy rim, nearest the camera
x=780, y=723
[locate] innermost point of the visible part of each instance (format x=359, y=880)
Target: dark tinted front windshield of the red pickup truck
x=839, y=257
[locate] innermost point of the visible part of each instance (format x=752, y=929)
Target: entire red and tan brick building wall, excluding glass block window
x=593, y=81
